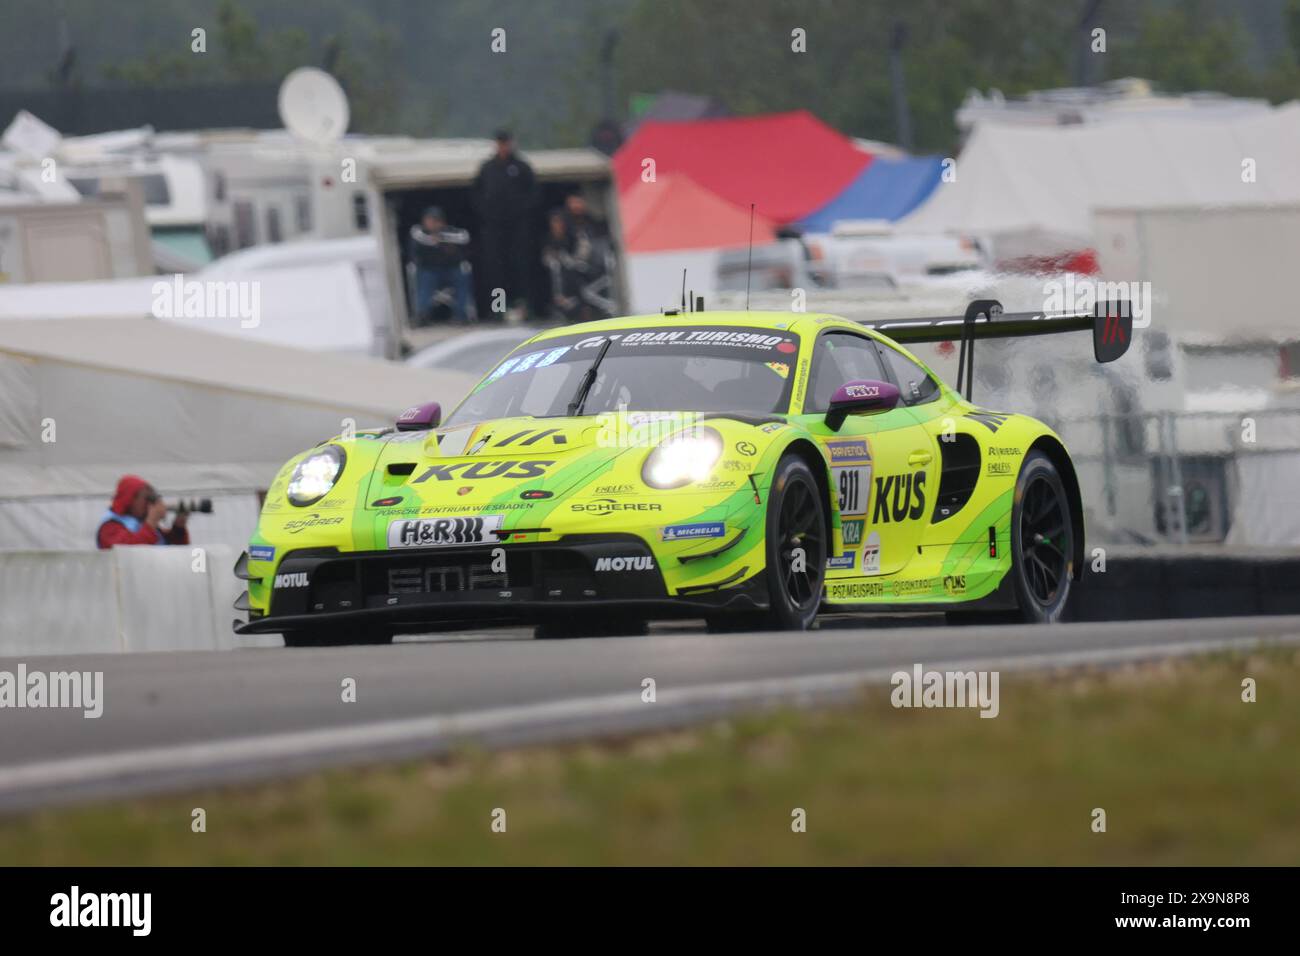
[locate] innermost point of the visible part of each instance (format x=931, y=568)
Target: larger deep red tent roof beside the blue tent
x=788, y=165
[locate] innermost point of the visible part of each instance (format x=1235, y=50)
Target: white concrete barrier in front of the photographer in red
x=124, y=599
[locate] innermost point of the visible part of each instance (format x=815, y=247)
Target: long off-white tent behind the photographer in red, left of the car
x=85, y=401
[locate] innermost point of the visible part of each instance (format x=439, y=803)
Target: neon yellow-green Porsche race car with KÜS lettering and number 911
x=753, y=469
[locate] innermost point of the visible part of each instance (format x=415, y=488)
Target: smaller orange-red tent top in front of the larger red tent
x=675, y=213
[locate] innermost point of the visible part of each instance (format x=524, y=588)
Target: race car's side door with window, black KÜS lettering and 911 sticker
x=883, y=464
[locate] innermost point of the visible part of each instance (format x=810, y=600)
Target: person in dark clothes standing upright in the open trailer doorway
x=506, y=202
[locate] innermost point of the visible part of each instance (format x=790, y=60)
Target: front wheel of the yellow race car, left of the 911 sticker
x=795, y=521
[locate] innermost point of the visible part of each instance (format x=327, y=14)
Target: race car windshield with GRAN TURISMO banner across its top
x=682, y=369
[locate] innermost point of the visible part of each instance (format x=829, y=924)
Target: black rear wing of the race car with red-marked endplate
x=1111, y=325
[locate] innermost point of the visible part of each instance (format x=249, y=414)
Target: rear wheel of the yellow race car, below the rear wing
x=1042, y=543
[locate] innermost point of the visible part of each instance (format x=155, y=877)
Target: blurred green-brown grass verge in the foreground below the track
x=1186, y=772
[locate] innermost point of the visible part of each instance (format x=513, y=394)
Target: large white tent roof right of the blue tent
x=1048, y=181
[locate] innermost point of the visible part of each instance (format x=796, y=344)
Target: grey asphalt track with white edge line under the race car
x=177, y=721
